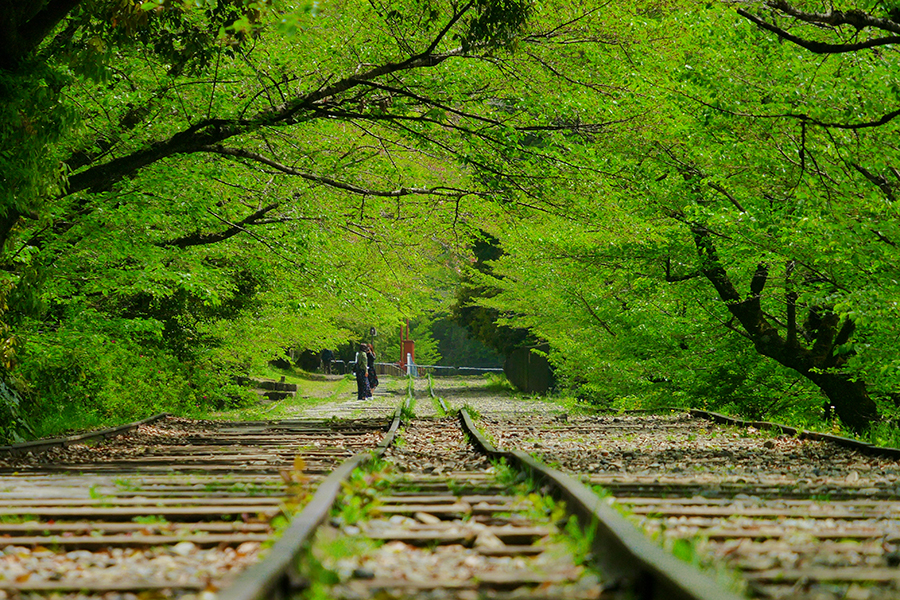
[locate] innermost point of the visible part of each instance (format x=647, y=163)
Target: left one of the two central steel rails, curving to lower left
x=276, y=575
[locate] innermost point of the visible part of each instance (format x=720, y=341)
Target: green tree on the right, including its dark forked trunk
x=754, y=169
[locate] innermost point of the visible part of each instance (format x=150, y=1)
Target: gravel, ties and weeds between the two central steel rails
x=449, y=528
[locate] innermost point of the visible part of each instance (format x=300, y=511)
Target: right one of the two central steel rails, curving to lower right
x=620, y=549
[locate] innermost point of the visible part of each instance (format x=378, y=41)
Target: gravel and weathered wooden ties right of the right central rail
x=797, y=518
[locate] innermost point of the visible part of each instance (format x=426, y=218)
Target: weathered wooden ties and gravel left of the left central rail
x=167, y=507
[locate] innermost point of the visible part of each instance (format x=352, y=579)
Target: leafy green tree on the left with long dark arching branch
x=223, y=180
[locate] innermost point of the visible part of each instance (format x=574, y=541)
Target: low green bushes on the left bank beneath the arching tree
x=94, y=370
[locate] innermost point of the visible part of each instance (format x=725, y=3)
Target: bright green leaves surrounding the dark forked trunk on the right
x=607, y=266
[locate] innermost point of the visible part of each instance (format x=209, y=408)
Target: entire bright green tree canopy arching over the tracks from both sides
x=693, y=204
